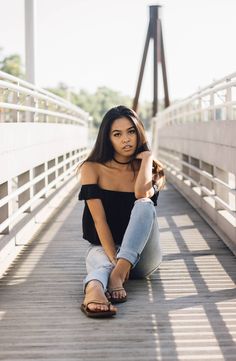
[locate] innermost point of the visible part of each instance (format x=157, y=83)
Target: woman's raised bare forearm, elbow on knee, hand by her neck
x=143, y=185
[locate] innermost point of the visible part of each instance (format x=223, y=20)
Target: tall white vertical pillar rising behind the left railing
x=30, y=46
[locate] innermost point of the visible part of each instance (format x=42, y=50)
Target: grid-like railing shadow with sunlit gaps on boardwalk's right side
x=185, y=283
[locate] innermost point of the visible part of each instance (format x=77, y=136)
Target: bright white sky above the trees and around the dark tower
x=90, y=43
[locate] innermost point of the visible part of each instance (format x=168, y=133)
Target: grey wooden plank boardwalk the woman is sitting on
x=185, y=311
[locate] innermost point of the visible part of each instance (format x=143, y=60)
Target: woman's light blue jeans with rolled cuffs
x=140, y=246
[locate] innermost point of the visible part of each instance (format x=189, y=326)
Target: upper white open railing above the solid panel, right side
x=214, y=102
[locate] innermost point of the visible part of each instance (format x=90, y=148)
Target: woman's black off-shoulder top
x=117, y=205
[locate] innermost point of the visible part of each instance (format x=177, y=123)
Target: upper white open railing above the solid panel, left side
x=21, y=101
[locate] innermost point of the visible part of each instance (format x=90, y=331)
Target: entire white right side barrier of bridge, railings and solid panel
x=194, y=138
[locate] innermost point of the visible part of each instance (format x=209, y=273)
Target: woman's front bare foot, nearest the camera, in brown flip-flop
x=94, y=291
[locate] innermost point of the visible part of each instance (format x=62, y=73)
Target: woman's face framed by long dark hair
x=123, y=136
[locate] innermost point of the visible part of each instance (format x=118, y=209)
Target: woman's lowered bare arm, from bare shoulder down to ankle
x=89, y=176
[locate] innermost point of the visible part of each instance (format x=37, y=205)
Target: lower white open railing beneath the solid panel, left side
x=26, y=191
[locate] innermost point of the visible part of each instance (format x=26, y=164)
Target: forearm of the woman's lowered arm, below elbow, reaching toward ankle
x=106, y=239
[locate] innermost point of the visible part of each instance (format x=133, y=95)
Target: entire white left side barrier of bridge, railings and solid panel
x=29, y=183
